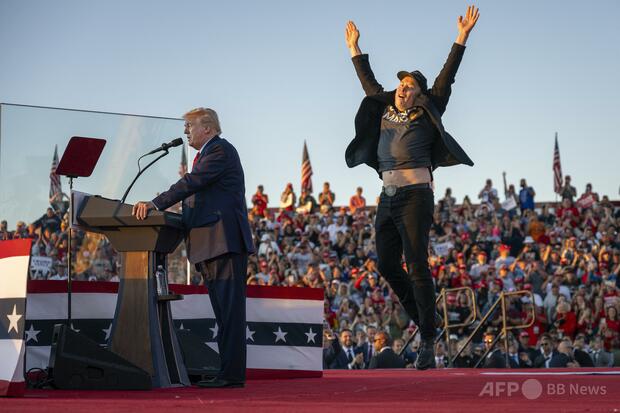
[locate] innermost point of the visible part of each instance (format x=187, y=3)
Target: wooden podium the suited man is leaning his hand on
x=142, y=330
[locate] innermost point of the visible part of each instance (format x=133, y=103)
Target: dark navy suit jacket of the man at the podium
x=214, y=210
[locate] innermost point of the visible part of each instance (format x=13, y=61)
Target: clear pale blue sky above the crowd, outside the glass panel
x=279, y=73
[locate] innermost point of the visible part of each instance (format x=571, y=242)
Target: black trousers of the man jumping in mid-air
x=402, y=225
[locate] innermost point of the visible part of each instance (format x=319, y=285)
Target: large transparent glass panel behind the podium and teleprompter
x=28, y=138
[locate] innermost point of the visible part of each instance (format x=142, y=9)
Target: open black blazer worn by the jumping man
x=363, y=149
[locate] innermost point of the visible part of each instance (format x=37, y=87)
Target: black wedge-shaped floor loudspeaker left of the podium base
x=77, y=362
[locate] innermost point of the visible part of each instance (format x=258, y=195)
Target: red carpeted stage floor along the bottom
x=448, y=390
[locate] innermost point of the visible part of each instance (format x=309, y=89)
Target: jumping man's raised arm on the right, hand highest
x=442, y=88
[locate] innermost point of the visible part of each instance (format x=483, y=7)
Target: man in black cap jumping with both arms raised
x=400, y=135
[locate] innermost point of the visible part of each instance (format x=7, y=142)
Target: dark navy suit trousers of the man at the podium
x=225, y=278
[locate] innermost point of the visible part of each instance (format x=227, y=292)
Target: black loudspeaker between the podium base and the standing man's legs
x=200, y=359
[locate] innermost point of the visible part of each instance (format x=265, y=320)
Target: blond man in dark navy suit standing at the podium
x=218, y=237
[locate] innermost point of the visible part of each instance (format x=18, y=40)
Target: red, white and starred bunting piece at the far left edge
x=14, y=260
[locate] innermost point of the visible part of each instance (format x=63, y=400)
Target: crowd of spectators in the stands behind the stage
x=566, y=254
